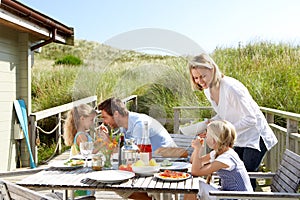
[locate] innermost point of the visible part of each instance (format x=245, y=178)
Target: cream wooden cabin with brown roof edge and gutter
x=22, y=31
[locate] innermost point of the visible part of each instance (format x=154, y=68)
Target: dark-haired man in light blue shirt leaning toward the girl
x=116, y=115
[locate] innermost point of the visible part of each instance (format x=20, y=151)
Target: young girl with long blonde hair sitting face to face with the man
x=79, y=120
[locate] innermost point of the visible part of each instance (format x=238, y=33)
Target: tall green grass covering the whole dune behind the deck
x=271, y=72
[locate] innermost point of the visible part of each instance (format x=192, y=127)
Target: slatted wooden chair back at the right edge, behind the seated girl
x=287, y=177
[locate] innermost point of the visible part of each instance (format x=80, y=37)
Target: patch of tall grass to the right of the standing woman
x=270, y=72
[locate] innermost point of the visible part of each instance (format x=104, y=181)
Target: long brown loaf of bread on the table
x=172, y=152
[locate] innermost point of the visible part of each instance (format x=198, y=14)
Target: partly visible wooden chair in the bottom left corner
x=10, y=191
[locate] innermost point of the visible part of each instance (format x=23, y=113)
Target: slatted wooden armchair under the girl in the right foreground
x=285, y=182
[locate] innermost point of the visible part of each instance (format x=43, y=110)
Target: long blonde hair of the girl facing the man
x=73, y=119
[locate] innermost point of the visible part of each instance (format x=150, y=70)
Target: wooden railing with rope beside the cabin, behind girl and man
x=57, y=112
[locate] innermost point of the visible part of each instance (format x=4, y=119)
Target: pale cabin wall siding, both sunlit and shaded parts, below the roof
x=15, y=79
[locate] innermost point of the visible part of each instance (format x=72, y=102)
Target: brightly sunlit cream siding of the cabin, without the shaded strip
x=8, y=62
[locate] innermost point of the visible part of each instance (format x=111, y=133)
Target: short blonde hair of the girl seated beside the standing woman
x=223, y=132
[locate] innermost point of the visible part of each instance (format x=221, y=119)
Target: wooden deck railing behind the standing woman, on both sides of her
x=288, y=137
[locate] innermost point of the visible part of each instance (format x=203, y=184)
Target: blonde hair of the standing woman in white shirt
x=204, y=61
